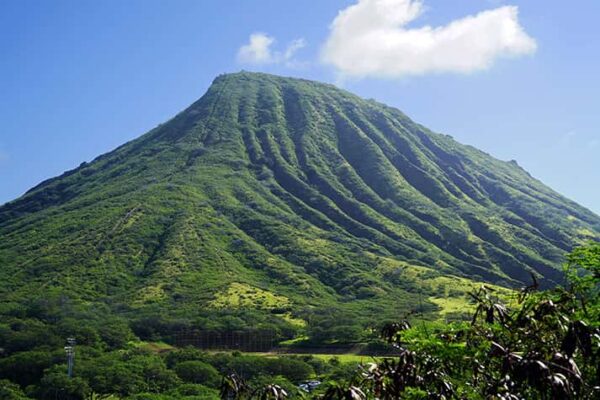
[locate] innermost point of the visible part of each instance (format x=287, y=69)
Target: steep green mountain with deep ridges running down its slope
x=271, y=199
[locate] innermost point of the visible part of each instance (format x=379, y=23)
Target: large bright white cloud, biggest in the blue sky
x=371, y=38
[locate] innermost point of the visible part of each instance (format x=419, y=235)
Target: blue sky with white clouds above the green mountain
x=79, y=77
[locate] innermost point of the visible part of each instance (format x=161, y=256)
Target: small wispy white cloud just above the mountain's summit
x=259, y=51
